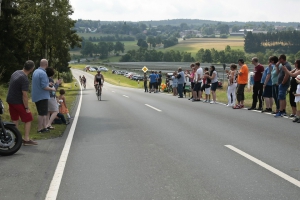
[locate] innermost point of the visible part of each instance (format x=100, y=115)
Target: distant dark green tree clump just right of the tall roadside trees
x=102, y=49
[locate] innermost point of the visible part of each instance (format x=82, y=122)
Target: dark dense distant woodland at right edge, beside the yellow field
x=283, y=41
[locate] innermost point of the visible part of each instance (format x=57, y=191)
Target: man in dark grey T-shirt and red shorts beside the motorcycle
x=17, y=99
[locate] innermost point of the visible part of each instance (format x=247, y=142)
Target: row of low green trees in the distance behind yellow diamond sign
x=145, y=55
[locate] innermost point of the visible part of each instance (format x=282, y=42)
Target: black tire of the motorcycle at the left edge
x=17, y=141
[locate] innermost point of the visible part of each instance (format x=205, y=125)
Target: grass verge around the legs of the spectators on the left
x=71, y=93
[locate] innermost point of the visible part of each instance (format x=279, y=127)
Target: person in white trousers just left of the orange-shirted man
x=232, y=84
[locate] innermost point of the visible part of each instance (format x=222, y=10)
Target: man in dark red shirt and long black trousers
x=258, y=86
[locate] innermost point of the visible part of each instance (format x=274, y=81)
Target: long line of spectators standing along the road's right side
x=271, y=85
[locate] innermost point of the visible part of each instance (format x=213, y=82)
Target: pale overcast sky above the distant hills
x=218, y=10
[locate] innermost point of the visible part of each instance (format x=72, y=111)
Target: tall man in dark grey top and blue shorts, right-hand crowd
x=284, y=83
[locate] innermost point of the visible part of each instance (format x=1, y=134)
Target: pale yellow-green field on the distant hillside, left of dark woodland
x=193, y=45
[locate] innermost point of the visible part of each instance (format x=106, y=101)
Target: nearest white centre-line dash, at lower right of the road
x=266, y=166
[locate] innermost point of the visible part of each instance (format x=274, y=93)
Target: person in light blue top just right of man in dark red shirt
x=267, y=89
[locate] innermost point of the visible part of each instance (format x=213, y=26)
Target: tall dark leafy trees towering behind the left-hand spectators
x=34, y=30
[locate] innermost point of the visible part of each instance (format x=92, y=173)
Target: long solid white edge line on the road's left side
x=56, y=180
